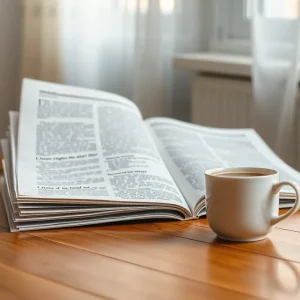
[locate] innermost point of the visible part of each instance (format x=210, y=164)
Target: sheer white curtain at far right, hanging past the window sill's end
x=276, y=34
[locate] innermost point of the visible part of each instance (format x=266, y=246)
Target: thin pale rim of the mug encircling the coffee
x=265, y=172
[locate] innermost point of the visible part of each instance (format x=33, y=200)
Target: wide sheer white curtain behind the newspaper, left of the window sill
x=127, y=47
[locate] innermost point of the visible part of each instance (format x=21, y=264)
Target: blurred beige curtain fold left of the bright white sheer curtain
x=40, y=40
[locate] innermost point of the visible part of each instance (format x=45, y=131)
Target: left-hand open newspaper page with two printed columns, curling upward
x=76, y=143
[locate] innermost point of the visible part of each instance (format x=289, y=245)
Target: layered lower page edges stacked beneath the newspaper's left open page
x=47, y=214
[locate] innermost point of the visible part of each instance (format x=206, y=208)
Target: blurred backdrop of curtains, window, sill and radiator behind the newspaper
x=221, y=63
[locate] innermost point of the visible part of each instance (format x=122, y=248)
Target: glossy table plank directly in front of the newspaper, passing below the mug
x=191, y=259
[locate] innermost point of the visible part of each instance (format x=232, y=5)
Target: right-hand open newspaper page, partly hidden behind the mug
x=189, y=150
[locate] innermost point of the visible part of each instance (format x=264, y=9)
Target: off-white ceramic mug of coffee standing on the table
x=242, y=203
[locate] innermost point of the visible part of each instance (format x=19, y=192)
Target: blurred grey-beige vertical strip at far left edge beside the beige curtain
x=10, y=20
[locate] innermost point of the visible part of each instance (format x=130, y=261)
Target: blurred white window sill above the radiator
x=215, y=63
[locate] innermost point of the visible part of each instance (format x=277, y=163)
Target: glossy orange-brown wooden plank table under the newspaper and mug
x=162, y=260
